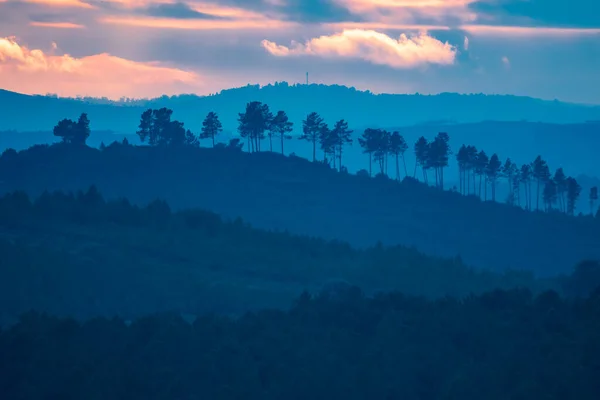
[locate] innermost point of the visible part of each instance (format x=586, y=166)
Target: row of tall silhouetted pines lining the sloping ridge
x=478, y=172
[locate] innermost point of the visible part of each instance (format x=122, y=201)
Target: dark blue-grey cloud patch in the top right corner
x=563, y=13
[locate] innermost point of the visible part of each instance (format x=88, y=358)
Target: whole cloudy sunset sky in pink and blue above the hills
x=146, y=48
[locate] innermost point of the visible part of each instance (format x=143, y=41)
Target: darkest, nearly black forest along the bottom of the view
x=499, y=345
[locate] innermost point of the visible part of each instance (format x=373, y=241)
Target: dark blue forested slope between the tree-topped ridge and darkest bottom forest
x=79, y=255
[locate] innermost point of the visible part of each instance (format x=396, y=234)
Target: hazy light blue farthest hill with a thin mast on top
x=361, y=109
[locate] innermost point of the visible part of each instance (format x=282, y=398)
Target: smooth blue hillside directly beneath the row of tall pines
x=290, y=193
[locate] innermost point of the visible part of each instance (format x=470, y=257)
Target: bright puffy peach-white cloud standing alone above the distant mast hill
x=372, y=46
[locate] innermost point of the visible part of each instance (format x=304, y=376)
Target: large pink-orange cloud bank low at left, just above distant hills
x=33, y=71
